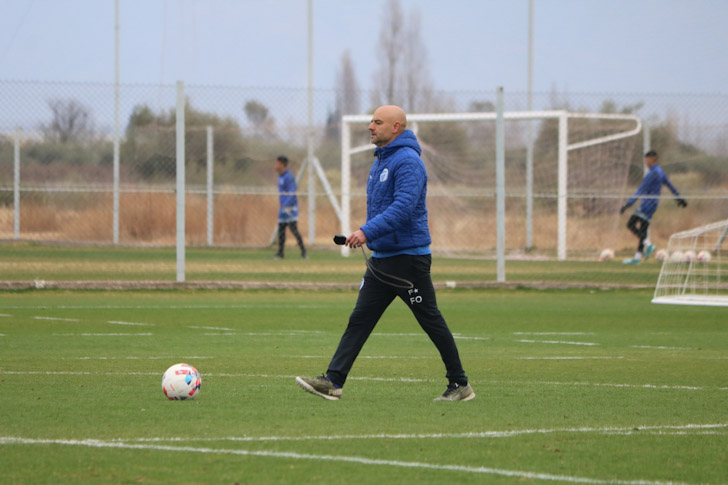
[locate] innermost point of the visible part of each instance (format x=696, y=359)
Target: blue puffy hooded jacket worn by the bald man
x=396, y=190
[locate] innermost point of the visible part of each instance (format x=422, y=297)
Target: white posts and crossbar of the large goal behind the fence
x=563, y=149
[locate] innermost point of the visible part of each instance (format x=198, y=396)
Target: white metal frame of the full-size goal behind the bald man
x=562, y=140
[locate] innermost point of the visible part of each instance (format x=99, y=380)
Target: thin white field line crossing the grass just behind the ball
x=381, y=379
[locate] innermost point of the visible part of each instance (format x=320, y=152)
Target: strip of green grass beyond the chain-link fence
x=32, y=262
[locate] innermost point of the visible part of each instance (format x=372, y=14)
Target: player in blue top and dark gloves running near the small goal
x=649, y=191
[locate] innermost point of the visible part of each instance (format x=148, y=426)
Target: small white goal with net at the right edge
x=692, y=272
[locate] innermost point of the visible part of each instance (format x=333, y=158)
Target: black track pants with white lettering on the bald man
x=375, y=296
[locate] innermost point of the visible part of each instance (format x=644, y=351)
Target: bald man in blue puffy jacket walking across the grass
x=397, y=232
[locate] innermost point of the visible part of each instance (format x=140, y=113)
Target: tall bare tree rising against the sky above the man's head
x=402, y=77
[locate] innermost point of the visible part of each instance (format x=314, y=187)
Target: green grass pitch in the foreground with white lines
x=579, y=386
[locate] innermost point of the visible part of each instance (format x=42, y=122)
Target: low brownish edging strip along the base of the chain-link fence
x=284, y=285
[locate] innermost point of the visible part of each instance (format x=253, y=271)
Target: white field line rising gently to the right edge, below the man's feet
x=632, y=430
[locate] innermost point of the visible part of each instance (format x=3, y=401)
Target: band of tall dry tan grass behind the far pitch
x=250, y=221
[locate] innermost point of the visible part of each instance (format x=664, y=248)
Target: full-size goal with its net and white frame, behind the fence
x=562, y=196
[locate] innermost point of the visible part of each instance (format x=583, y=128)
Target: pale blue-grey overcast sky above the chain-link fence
x=592, y=46
